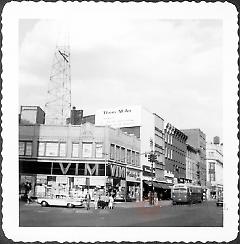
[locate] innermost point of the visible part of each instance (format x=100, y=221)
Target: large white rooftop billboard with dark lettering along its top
x=124, y=116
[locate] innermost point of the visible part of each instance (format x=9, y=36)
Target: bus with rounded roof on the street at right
x=186, y=193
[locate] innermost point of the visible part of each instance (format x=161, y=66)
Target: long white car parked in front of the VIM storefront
x=64, y=202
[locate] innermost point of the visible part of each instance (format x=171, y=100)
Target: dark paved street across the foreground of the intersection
x=124, y=214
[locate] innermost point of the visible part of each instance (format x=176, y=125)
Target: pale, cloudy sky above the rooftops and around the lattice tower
x=171, y=67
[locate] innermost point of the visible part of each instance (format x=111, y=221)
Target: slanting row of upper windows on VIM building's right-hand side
x=124, y=155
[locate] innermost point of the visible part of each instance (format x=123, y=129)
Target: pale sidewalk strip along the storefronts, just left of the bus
x=142, y=204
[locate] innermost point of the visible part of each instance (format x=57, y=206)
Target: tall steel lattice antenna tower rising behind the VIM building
x=58, y=105
